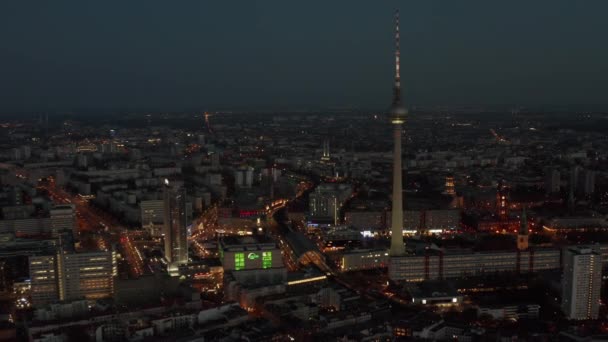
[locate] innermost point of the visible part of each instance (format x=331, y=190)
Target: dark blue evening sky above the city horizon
x=59, y=55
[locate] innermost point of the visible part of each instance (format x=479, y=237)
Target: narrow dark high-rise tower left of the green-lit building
x=175, y=225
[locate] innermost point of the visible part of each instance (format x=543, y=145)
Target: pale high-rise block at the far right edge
x=581, y=283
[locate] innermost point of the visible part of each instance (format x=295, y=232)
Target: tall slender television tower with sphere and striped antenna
x=397, y=116
